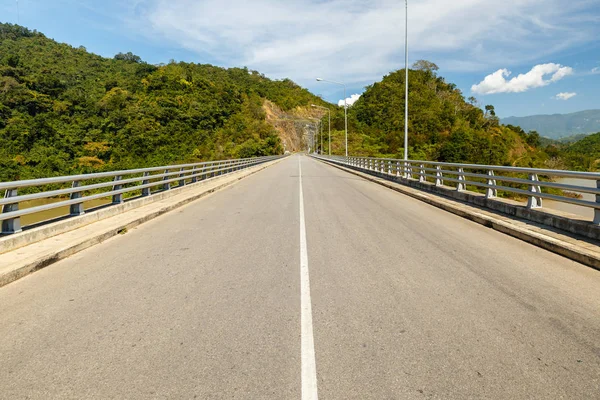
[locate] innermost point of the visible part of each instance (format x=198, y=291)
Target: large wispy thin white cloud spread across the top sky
x=358, y=41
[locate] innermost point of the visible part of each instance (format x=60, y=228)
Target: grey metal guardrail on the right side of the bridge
x=462, y=175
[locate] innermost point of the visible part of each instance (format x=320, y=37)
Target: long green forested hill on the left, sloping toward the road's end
x=64, y=110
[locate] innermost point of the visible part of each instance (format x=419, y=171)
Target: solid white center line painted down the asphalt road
x=309, y=367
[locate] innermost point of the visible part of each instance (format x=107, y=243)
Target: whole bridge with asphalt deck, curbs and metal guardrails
x=331, y=277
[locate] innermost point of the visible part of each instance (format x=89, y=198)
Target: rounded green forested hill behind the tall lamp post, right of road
x=442, y=124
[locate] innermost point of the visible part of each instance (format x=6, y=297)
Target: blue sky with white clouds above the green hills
x=524, y=57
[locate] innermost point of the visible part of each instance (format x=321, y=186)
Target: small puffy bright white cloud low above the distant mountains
x=497, y=82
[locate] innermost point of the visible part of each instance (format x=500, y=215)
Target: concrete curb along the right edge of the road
x=566, y=249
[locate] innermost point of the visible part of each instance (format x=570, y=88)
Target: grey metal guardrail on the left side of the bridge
x=85, y=187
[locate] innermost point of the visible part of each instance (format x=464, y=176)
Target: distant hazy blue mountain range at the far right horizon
x=558, y=126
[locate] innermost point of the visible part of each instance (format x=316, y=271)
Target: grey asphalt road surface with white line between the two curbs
x=387, y=298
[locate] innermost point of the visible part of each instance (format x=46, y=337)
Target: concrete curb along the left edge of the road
x=12, y=271
